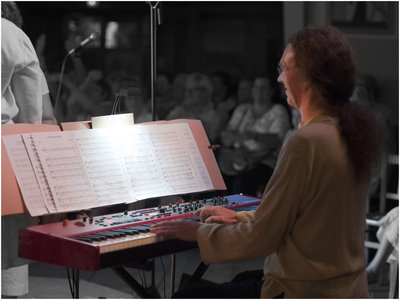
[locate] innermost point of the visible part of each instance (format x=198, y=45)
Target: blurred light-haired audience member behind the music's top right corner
x=198, y=105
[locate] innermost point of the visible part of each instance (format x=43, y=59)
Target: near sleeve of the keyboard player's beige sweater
x=273, y=219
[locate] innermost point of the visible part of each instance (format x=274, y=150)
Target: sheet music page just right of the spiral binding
x=57, y=155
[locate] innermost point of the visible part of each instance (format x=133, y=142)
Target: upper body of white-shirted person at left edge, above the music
x=21, y=74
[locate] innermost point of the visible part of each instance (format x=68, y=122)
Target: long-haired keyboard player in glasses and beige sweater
x=310, y=223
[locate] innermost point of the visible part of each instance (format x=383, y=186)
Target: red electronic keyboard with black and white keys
x=110, y=240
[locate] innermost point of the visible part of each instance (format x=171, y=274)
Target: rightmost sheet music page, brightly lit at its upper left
x=163, y=160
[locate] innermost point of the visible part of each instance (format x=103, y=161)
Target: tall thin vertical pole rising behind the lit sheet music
x=154, y=12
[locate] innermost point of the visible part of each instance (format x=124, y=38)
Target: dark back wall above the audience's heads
x=241, y=38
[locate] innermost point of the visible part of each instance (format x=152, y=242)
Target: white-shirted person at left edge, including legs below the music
x=24, y=99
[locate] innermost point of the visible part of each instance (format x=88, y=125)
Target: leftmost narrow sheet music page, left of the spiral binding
x=30, y=190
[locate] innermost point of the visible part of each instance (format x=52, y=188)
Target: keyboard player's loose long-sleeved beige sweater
x=309, y=226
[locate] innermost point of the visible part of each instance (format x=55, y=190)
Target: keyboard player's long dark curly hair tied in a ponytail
x=327, y=60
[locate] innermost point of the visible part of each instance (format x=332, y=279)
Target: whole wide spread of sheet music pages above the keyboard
x=61, y=171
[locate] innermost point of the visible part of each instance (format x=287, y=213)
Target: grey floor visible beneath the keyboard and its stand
x=50, y=282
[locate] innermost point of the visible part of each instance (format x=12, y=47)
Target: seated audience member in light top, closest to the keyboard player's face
x=252, y=139
